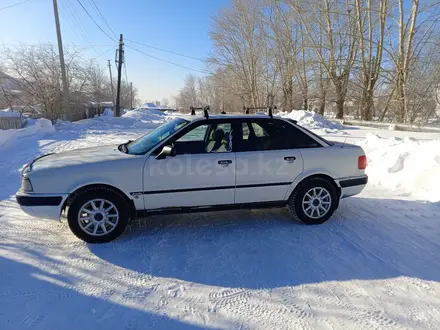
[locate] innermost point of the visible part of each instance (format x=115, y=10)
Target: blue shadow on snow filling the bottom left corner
x=34, y=298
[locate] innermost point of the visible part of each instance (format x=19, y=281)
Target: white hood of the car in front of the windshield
x=78, y=157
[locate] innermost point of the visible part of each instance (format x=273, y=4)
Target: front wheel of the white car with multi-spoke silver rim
x=103, y=209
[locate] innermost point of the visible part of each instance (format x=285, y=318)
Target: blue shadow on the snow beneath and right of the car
x=366, y=239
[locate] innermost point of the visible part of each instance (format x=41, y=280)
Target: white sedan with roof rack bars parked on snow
x=190, y=165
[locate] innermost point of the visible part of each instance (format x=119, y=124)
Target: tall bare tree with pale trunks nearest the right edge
x=411, y=35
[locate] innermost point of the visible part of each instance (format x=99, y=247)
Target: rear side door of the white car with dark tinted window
x=266, y=164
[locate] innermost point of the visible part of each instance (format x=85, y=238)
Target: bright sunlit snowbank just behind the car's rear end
x=405, y=165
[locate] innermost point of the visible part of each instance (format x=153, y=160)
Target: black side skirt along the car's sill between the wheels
x=210, y=208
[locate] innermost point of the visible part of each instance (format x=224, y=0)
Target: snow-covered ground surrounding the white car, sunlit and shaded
x=374, y=265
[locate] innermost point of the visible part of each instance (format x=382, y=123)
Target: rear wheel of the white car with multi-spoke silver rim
x=314, y=201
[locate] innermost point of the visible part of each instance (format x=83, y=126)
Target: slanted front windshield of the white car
x=146, y=142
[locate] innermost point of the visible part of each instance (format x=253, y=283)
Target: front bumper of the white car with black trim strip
x=47, y=206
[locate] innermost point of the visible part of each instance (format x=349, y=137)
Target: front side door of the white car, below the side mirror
x=201, y=174
